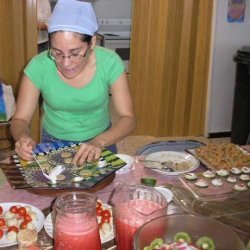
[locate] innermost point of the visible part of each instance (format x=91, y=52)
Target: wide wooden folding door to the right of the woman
x=170, y=51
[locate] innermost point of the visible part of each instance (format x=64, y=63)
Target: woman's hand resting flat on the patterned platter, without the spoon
x=88, y=152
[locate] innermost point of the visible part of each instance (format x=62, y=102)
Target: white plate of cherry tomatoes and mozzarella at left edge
x=15, y=216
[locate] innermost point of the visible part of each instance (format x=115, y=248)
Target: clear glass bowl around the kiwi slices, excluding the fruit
x=166, y=227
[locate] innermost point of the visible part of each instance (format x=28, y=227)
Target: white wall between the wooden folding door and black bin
x=228, y=37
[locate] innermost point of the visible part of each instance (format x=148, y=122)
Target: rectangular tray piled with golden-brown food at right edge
x=216, y=156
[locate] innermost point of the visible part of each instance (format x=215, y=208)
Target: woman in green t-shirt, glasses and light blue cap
x=75, y=79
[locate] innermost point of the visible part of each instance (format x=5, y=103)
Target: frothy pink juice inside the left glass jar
x=71, y=233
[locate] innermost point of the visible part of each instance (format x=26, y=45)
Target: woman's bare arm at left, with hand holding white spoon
x=26, y=105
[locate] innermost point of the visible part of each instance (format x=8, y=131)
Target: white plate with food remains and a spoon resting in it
x=182, y=161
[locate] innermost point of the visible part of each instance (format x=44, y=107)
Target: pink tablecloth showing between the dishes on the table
x=134, y=176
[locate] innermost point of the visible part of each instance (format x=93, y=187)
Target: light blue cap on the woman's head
x=75, y=16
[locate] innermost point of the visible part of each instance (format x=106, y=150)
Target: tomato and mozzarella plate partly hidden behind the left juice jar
x=104, y=218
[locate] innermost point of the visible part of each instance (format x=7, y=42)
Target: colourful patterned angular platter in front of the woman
x=28, y=174
